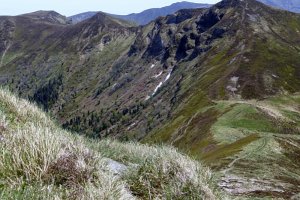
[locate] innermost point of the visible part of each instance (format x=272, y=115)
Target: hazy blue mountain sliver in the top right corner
x=291, y=5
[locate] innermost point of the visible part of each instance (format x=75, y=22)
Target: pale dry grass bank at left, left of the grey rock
x=41, y=161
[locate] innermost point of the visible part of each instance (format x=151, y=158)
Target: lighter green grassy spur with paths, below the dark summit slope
x=246, y=139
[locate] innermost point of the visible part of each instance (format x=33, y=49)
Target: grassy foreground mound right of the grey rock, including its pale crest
x=161, y=172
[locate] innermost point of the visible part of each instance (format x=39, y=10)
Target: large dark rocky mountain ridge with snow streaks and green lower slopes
x=221, y=83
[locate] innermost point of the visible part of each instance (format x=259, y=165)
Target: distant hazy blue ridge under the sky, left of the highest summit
x=146, y=16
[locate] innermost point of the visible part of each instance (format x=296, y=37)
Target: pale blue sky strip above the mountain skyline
x=68, y=7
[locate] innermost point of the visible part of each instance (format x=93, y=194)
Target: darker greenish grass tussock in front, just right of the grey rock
x=166, y=180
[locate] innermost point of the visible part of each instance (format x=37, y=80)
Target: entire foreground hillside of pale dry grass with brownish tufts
x=38, y=160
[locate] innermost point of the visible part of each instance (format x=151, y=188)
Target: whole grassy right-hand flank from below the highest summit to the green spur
x=245, y=138
